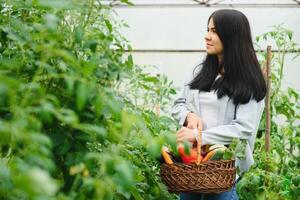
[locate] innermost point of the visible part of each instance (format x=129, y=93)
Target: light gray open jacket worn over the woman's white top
x=244, y=126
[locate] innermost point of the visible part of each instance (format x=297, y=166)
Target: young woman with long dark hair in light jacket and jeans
x=224, y=95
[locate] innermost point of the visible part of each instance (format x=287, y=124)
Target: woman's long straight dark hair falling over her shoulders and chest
x=243, y=78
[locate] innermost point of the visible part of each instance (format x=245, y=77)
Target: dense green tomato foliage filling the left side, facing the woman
x=67, y=132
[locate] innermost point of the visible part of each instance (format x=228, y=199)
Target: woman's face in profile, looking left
x=214, y=45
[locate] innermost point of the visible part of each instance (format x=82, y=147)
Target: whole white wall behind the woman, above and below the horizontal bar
x=183, y=28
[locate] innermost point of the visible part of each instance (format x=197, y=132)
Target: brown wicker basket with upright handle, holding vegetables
x=207, y=177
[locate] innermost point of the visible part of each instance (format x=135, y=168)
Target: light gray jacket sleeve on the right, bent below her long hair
x=246, y=123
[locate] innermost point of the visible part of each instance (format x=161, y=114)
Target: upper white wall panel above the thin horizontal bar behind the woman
x=184, y=28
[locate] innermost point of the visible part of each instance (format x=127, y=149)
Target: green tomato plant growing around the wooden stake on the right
x=275, y=175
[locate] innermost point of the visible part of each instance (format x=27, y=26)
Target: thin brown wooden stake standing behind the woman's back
x=267, y=100
